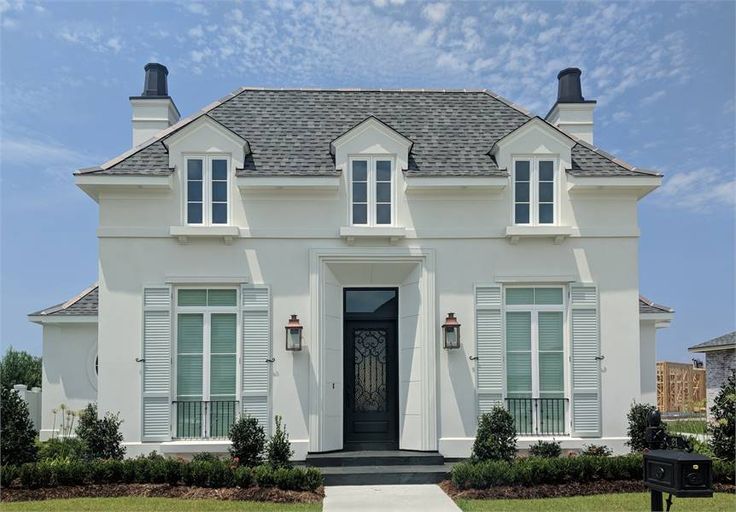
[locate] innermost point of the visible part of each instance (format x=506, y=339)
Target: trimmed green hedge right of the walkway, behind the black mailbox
x=536, y=470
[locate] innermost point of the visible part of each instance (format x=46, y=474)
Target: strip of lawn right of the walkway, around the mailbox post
x=608, y=502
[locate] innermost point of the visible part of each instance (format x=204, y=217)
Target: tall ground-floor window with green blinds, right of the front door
x=535, y=357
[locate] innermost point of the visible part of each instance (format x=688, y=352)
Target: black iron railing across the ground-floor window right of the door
x=539, y=416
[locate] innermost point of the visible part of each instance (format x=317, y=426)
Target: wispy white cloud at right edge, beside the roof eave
x=701, y=190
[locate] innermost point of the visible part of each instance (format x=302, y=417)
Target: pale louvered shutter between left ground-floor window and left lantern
x=256, y=303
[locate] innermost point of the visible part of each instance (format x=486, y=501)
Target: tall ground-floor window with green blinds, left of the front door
x=206, y=361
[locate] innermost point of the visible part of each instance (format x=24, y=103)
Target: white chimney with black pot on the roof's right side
x=572, y=113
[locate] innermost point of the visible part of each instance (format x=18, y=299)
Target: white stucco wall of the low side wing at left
x=69, y=378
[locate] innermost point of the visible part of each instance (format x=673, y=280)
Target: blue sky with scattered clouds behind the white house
x=663, y=75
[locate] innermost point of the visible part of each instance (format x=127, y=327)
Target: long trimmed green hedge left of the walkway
x=157, y=469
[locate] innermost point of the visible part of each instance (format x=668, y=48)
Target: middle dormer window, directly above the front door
x=371, y=191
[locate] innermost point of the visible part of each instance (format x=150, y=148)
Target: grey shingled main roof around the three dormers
x=289, y=132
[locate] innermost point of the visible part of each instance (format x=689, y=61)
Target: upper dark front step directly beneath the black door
x=374, y=458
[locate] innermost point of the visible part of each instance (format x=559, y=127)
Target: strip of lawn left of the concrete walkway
x=154, y=505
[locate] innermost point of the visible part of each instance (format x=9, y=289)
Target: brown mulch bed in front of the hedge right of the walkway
x=555, y=491
